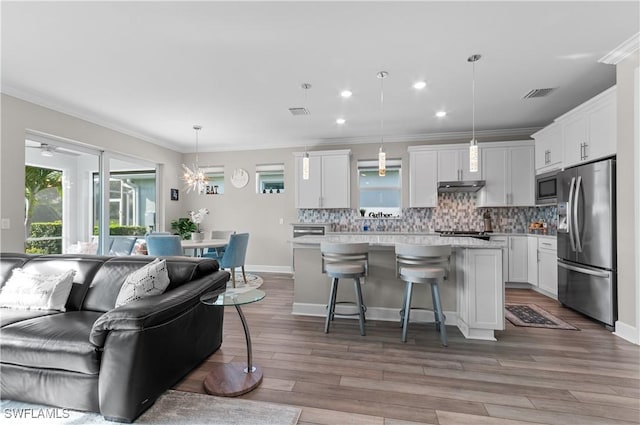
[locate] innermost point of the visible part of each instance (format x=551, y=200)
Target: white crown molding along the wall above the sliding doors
x=94, y=119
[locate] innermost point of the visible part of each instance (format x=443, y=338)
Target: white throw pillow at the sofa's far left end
x=28, y=290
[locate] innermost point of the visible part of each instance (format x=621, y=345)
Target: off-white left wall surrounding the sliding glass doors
x=18, y=116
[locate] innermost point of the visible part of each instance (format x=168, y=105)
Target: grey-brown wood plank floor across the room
x=528, y=376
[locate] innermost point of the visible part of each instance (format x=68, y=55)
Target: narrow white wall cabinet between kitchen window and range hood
x=423, y=178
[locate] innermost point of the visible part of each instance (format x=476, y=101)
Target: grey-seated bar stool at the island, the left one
x=345, y=261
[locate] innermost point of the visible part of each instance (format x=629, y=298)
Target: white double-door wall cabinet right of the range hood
x=508, y=170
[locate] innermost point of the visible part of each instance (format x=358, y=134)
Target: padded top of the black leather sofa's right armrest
x=155, y=310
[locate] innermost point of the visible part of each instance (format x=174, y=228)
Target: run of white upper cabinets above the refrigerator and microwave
x=583, y=134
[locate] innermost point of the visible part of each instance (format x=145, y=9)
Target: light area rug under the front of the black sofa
x=172, y=408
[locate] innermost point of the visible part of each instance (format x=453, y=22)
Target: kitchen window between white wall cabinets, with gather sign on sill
x=380, y=196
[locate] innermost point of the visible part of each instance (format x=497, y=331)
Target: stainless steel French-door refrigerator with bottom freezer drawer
x=587, y=240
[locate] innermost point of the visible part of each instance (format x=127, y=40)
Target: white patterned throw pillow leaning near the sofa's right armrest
x=151, y=279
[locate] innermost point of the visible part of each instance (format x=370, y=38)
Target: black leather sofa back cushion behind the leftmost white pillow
x=85, y=266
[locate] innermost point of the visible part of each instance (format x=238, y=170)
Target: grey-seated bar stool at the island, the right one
x=423, y=264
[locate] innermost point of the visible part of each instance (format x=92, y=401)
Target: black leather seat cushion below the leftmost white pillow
x=57, y=341
